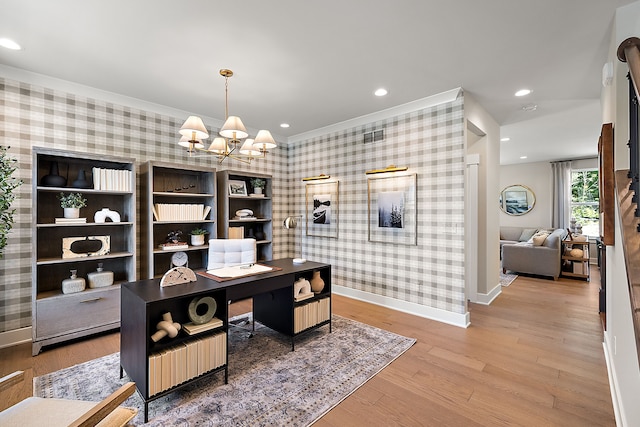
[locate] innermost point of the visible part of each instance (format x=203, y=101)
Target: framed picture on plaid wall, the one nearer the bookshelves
x=322, y=209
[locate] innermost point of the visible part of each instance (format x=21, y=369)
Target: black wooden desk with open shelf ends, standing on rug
x=143, y=303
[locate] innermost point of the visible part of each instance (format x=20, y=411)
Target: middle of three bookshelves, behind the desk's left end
x=179, y=199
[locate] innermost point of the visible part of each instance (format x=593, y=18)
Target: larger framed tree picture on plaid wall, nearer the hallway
x=392, y=209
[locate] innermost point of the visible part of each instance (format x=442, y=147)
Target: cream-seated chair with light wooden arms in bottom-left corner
x=38, y=411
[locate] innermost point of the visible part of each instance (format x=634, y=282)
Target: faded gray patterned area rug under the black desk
x=268, y=383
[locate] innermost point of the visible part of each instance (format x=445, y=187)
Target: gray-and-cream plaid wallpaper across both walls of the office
x=430, y=142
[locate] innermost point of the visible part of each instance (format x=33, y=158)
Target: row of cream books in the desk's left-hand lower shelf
x=175, y=365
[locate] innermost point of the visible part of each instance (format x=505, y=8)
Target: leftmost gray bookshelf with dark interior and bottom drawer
x=93, y=310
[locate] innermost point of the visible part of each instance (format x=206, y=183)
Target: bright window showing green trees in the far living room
x=585, y=200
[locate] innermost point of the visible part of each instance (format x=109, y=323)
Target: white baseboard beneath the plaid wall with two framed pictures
x=460, y=320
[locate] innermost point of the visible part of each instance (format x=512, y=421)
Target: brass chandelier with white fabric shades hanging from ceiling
x=230, y=142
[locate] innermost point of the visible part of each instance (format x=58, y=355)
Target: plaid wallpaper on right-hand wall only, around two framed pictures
x=431, y=143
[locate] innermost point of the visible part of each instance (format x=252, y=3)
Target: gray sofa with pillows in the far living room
x=531, y=250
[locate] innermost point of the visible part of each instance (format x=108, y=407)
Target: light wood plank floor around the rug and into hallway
x=534, y=357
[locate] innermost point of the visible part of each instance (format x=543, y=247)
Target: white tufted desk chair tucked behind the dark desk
x=228, y=253
